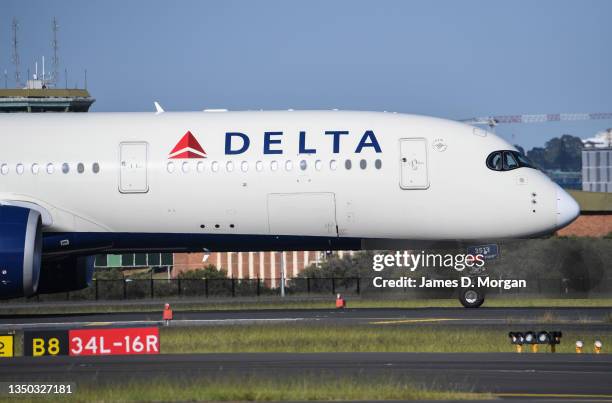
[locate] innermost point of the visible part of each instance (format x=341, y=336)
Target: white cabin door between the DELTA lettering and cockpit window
x=413, y=164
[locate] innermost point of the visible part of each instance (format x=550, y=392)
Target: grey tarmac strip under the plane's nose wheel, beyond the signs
x=595, y=318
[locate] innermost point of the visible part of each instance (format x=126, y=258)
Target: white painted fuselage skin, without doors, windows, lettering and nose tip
x=464, y=200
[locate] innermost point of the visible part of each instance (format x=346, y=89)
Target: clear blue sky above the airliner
x=453, y=59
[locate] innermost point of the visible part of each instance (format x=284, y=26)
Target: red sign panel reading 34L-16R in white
x=116, y=341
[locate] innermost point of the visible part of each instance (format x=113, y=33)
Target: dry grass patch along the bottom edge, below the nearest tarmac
x=261, y=389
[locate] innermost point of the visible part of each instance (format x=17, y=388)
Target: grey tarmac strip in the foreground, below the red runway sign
x=505, y=374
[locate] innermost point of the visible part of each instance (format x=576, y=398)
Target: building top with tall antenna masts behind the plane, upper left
x=41, y=92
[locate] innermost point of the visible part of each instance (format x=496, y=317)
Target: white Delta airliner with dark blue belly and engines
x=76, y=185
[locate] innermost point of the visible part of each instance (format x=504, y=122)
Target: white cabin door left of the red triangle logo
x=133, y=167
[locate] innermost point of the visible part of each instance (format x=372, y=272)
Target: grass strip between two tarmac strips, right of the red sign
x=298, y=338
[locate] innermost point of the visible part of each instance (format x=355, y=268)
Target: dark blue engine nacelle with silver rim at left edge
x=20, y=251
